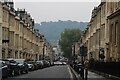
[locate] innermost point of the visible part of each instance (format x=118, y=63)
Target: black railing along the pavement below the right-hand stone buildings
x=112, y=68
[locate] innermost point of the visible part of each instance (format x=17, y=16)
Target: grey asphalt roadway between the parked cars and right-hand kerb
x=55, y=72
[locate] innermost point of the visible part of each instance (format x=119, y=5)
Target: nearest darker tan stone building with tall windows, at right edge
x=114, y=37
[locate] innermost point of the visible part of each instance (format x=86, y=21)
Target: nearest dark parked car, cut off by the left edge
x=3, y=70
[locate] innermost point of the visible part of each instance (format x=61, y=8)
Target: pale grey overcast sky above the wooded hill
x=59, y=10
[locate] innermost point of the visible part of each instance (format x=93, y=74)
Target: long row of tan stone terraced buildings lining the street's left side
x=19, y=37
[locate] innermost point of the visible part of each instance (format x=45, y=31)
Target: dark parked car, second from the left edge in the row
x=13, y=68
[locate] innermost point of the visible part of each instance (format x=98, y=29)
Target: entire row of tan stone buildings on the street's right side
x=102, y=36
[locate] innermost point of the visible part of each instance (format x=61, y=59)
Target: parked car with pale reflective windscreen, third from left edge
x=22, y=65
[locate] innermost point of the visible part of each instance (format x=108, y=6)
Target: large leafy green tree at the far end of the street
x=69, y=37
